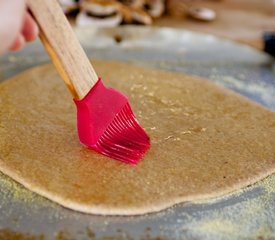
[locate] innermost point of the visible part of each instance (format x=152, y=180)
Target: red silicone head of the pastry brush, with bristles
x=107, y=124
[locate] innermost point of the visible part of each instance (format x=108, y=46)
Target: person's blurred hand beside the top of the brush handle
x=16, y=25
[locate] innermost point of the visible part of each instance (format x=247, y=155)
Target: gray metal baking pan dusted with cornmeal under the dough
x=246, y=214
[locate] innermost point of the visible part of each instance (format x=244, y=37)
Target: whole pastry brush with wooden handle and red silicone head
x=105, y=119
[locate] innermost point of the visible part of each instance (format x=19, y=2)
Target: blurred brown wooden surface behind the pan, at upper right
x=239, y=20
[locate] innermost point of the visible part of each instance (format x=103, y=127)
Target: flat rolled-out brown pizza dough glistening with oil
x=206, y=141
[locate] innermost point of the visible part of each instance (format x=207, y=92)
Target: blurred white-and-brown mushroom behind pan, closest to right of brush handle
x=99, y=13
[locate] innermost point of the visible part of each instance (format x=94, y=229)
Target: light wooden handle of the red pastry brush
x=63, y=47
